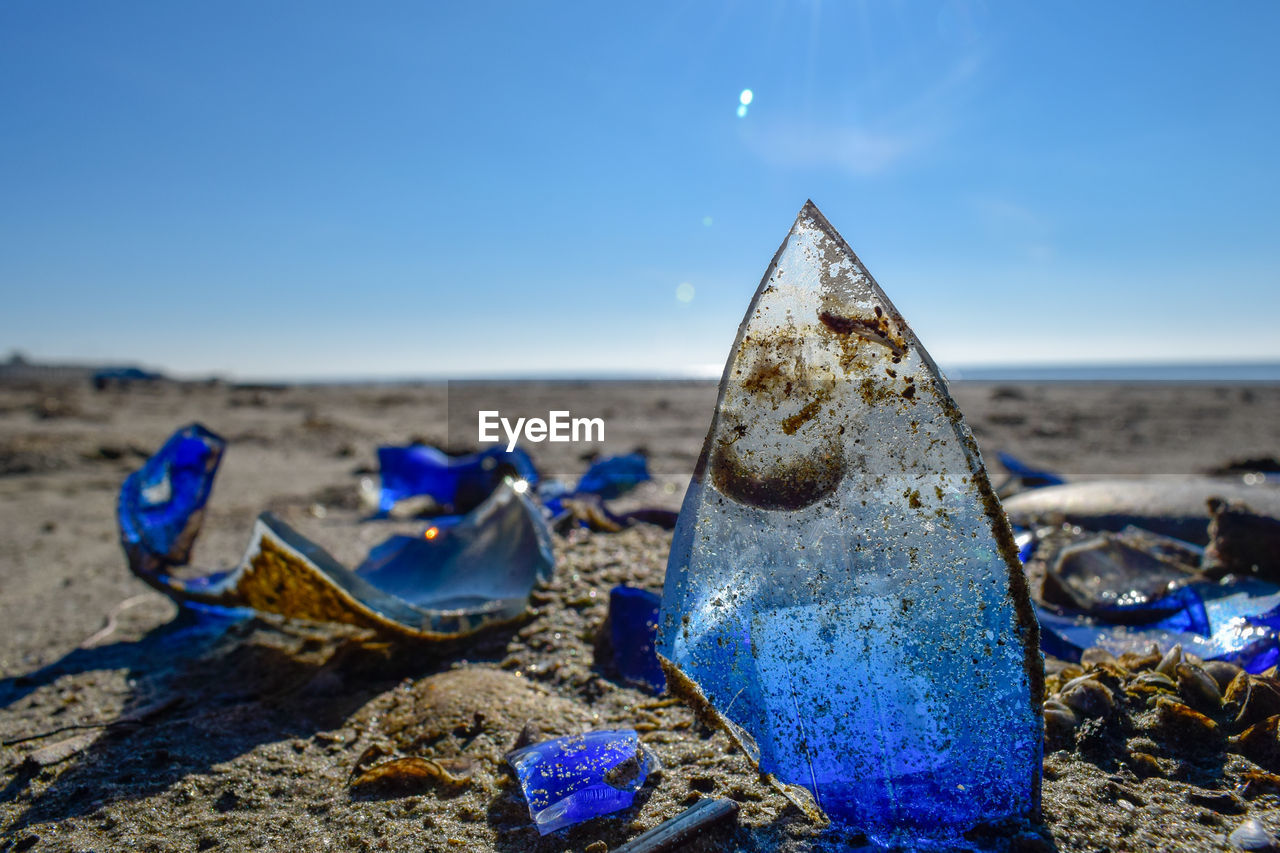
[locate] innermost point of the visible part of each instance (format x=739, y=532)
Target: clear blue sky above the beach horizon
x=396, y=190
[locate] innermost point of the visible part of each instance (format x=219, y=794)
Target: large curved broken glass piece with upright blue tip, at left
x=454, y=581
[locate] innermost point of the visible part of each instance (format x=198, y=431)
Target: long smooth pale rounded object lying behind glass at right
x=1173, y=508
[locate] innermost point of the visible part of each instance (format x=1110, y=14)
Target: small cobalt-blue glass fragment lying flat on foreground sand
x=574, y=779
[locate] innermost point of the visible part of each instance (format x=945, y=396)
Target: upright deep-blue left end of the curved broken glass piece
x=162, y=505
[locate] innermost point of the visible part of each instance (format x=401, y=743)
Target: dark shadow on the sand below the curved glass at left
x=221, y=687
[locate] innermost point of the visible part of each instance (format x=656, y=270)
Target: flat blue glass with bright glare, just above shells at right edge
x=1236, y=622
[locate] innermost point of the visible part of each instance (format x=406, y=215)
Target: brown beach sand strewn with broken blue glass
x=245, y=737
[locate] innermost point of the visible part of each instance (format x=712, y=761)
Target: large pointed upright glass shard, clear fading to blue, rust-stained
x=844, y=594
